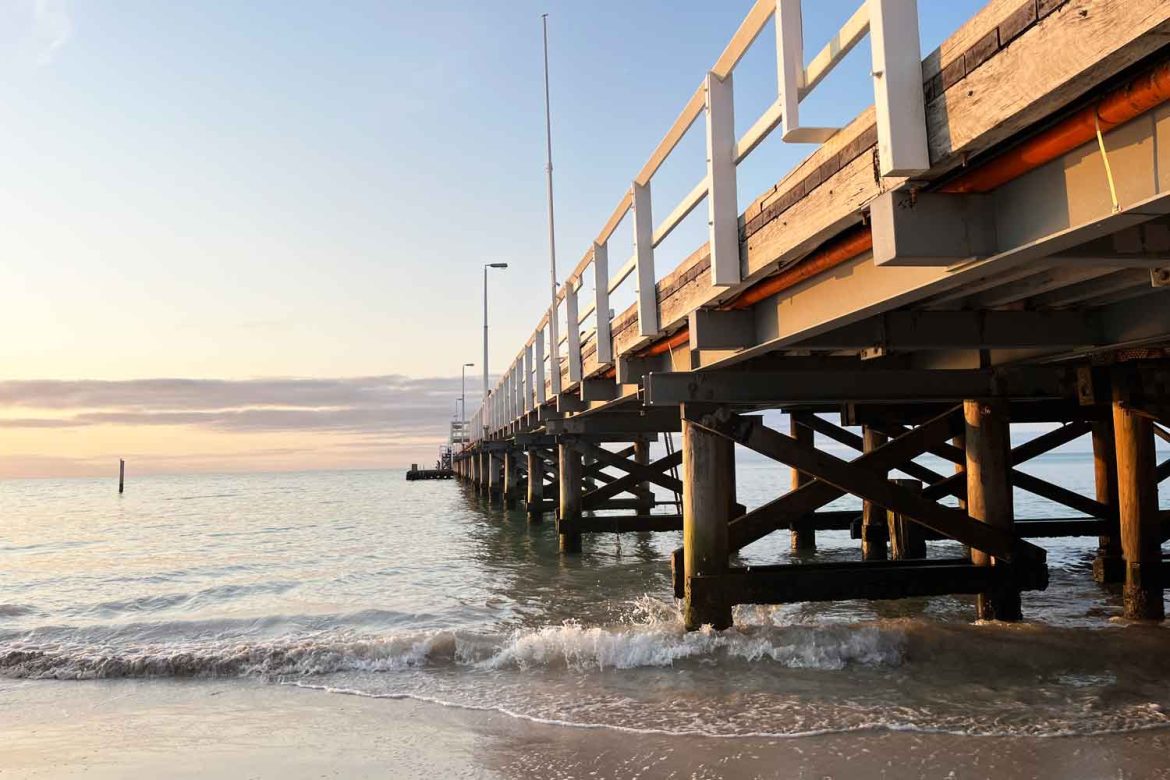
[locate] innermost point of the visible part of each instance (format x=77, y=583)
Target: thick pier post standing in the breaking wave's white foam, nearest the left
x=708, y=494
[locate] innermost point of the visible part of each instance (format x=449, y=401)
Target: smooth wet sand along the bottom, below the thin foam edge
x=243, y=729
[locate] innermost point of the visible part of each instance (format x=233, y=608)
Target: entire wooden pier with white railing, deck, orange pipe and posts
x=988, y=245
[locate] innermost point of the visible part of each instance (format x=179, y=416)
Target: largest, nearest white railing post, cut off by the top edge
x=903, y=149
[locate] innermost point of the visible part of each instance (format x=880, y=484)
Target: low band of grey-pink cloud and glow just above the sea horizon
x=82, y=427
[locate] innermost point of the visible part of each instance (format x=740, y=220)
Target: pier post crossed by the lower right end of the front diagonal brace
x=989, y=492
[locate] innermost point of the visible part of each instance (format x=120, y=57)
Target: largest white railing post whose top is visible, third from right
x=722, y=209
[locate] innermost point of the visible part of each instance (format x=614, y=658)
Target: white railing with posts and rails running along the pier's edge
x=893, y=29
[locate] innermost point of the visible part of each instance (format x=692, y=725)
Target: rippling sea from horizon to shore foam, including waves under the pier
x=359, y=583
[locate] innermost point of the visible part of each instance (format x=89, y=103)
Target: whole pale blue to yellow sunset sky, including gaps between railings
x=250, y=236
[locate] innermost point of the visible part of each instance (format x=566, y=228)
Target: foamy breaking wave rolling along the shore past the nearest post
x=659, y=640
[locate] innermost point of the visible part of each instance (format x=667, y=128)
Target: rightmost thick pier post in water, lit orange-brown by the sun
x=1138, y=503
